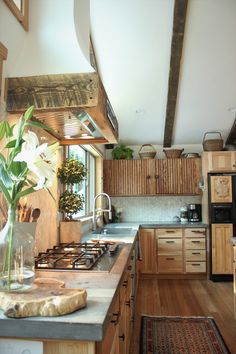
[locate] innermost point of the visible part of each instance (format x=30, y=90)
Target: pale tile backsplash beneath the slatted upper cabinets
x=157, y=208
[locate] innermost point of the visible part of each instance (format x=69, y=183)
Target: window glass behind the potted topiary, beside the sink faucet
x=88, y=186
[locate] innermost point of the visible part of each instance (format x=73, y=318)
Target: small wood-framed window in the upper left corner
x=20, y=9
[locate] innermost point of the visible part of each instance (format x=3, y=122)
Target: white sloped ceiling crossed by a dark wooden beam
x=132, y=41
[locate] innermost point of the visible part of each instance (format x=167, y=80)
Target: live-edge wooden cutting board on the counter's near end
x=48, y=297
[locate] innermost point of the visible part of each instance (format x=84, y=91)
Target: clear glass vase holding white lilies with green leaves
x=26, y=166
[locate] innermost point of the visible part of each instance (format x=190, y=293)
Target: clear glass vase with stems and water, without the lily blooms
x=16, y=254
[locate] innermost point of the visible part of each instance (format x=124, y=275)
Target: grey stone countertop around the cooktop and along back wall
x=88, y=324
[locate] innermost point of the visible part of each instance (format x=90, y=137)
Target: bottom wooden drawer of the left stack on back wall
x=170, y=264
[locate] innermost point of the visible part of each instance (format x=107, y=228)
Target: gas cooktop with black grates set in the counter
x=94, y=256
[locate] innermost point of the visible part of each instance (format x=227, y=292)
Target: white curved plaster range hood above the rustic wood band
x=57, y=42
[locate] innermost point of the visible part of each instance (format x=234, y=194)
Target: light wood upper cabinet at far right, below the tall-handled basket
x=219, y=161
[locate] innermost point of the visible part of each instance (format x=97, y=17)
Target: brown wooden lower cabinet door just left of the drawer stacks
x=148, y=243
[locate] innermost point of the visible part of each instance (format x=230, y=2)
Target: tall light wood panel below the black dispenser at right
x=222, y=252
